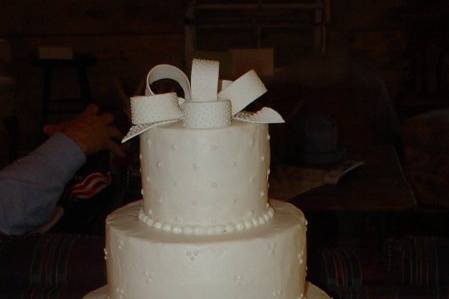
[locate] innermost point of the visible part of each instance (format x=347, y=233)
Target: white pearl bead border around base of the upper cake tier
x=200, y=230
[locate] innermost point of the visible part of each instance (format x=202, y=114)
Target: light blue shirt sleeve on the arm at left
x=31, y=186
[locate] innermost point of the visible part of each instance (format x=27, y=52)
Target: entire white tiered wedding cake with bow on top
x=205, y=228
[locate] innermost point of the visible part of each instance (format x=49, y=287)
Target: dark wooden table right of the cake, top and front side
x=367, y=205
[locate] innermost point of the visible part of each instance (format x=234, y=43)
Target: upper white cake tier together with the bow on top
x=205, y=162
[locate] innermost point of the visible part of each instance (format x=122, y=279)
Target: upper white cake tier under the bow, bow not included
x=205, y=178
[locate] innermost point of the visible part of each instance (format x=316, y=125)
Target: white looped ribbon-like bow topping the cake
x=201, y=106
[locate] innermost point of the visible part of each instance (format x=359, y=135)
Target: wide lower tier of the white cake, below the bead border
x=262, y=263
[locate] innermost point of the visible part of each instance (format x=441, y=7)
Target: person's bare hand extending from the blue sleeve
x=92, y=131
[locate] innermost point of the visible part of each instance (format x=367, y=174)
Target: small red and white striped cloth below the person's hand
x=91, y=185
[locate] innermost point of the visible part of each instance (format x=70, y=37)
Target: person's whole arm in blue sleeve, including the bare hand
x=31, y=186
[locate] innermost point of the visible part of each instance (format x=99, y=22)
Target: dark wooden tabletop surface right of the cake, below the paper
x=378, y=186
